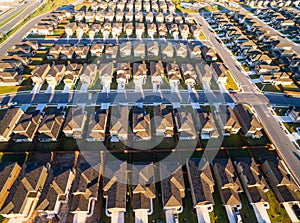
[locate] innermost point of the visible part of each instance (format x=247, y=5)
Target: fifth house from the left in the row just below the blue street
x=97, y=125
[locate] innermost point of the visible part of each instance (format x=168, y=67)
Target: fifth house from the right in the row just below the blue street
x=163, y=121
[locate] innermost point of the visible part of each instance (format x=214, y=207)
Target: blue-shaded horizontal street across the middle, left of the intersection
x=97, y=98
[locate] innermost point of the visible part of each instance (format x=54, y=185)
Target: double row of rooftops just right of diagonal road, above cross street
x=262, y=63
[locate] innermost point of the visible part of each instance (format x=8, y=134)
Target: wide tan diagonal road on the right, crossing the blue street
x=285, y=148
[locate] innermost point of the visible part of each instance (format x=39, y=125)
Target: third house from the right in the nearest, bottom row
x=229, y=187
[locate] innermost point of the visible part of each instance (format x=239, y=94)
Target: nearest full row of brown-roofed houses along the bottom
x=80, y=185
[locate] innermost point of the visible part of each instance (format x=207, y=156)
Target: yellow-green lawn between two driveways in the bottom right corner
x=276, y=212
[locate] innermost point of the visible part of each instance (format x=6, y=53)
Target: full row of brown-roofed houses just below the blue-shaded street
x=20, y=126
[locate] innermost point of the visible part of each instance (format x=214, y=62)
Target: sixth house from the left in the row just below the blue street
x=119, y=123
